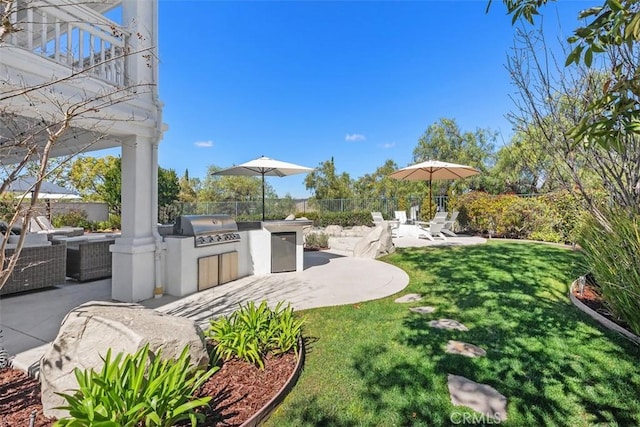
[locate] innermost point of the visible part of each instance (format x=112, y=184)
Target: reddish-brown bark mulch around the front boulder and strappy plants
x=238, y=390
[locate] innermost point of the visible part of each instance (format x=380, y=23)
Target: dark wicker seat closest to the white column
x=89, y=260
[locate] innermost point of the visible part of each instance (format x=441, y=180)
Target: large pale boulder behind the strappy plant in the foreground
x=89, y=330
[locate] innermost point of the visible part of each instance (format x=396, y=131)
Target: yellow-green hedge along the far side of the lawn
x=553, y=217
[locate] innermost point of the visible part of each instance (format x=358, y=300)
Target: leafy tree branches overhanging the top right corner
x=612, y=29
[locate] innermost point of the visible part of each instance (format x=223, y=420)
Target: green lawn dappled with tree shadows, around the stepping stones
x=378, y=364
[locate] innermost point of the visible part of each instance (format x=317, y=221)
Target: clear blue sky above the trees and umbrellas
x=304, y=81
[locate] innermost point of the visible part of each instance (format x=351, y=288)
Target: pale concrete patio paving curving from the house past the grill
x=30, y=321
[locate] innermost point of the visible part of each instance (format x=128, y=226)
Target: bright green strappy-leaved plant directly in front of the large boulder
x=135, y=389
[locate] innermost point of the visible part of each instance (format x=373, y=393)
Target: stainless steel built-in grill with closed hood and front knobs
x=207, y=229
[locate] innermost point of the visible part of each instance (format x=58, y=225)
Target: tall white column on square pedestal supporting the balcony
x=137, y=253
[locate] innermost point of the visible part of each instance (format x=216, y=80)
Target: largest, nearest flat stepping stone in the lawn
x=479, y=397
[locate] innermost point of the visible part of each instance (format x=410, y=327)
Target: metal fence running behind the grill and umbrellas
x=280, y=208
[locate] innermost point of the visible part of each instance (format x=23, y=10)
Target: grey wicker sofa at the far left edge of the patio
x=37, y=267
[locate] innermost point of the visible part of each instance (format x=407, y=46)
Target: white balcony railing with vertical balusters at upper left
x=72, y=35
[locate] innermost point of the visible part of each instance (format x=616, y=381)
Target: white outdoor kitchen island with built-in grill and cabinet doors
x=204, y=251
